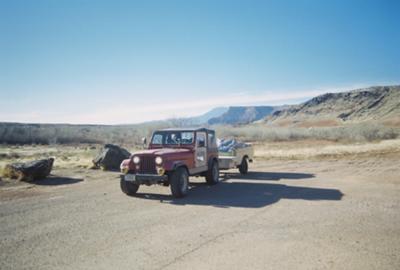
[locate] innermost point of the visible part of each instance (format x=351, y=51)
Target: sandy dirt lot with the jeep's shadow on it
x=285, y=214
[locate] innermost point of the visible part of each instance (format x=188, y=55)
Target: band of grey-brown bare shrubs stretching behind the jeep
x=12, y=133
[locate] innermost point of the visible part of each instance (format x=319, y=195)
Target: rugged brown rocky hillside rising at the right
x=373, y=103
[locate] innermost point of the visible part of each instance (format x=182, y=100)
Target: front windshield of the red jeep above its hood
x=173, y=138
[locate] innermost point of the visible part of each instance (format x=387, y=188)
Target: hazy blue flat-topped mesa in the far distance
x=242, y=115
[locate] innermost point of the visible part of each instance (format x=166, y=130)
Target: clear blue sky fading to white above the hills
x=131, y=61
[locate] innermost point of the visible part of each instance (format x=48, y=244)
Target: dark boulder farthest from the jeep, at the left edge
x=30, y=171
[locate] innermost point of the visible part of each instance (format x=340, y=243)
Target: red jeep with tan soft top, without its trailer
x=172, y=156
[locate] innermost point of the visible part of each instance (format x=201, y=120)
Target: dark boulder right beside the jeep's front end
x=110, y=157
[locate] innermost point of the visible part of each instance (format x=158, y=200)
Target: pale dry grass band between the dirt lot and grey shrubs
x=67, y=156
